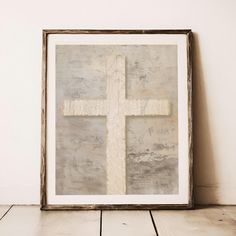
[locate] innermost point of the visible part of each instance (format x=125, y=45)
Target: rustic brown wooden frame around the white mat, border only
x=43, y=197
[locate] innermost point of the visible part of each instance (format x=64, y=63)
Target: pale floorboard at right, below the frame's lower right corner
x=200, y=222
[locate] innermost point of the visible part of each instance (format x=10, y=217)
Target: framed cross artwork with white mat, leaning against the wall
x=116, y=119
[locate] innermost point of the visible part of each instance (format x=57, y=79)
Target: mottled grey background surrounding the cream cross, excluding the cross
x=152, y=142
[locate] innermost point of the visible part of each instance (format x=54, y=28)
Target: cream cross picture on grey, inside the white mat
x=117, y=119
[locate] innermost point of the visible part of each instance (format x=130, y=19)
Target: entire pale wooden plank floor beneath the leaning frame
x=30, y=221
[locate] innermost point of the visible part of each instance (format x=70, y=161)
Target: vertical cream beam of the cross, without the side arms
x=116, y=148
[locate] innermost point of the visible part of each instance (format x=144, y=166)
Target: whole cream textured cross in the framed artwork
x=116, y=107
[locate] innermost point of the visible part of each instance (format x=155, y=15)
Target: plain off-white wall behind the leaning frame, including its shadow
x=214, y=25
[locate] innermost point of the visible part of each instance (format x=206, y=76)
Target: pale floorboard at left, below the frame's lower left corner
x=29, y=220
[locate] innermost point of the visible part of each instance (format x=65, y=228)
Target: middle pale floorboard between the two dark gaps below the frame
x=127, y=223
